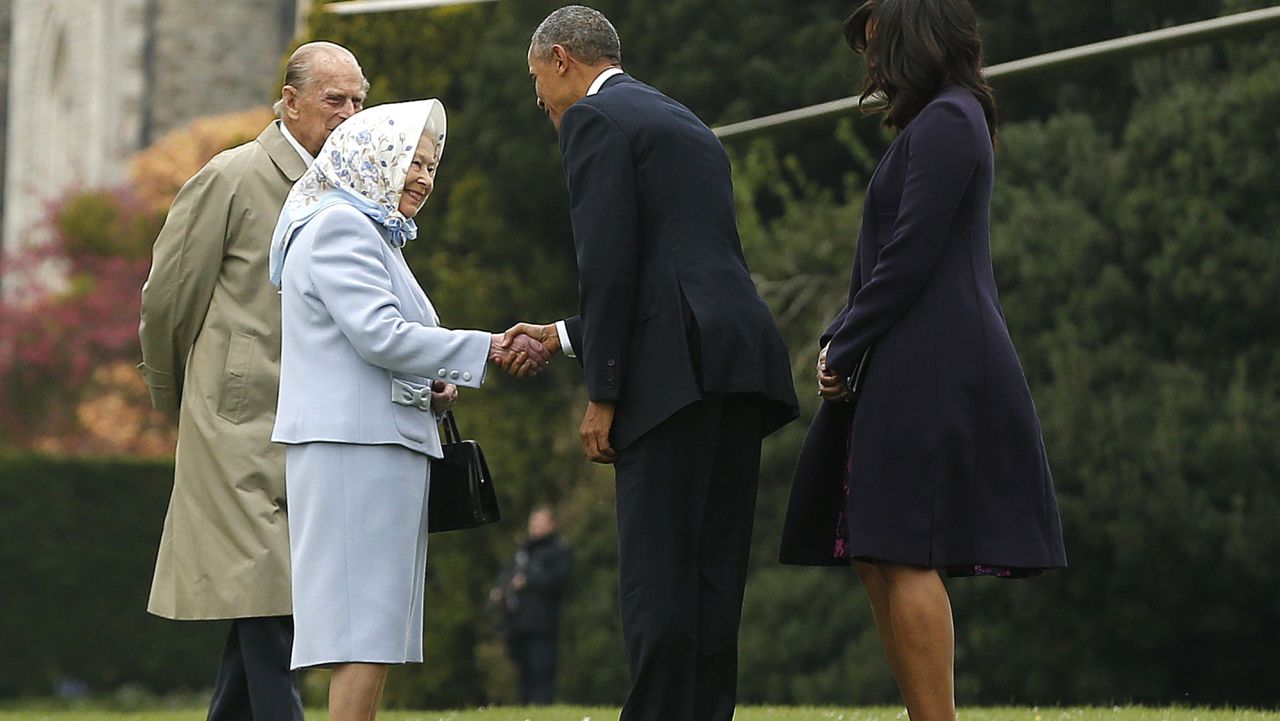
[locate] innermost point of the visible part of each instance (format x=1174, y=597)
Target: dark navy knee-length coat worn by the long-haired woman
x=947, y=464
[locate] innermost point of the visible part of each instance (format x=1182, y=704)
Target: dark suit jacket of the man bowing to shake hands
x=668, y=307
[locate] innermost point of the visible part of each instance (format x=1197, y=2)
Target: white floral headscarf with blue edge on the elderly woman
x=364, y=165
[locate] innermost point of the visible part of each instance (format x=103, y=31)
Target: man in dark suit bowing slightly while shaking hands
x=685, y=369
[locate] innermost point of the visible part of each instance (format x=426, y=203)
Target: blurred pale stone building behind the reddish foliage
x=90, y=83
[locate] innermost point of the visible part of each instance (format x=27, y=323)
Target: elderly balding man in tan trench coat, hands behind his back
x=211, y=337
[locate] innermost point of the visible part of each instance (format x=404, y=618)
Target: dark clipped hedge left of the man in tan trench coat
x=77, y=547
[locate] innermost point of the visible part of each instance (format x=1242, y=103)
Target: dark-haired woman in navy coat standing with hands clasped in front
x=935, y=463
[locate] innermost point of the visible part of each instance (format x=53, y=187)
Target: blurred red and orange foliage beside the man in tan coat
x=70, y=307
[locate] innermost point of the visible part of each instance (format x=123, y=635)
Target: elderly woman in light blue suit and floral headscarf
x=365, y=368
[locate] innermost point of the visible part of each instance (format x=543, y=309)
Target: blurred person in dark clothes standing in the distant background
x=529, y=594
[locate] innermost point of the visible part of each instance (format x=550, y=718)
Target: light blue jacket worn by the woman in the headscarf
x=358, y=331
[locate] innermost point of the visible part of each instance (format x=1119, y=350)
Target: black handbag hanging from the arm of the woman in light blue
x=463, y=495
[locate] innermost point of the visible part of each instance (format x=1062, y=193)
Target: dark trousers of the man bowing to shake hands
x=687, y=504
